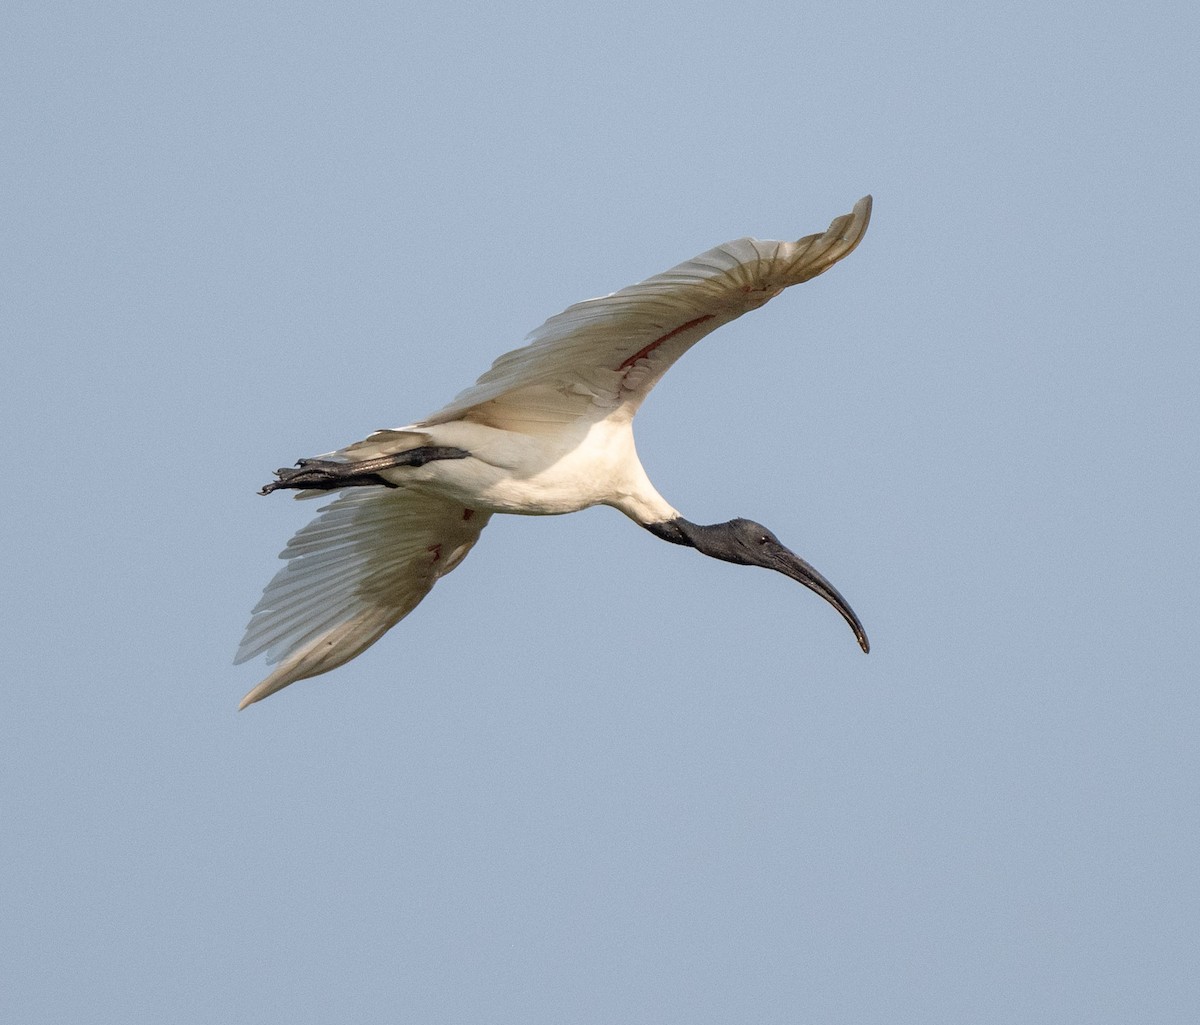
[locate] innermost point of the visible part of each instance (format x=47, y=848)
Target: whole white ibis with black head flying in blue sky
x=548, y=430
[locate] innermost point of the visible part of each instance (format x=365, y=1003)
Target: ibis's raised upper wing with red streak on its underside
x=610, y=352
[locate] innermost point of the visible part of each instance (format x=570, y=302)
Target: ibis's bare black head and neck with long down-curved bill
x=747, y=543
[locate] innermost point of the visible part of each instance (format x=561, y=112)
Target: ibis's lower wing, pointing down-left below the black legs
x=352, y=574
